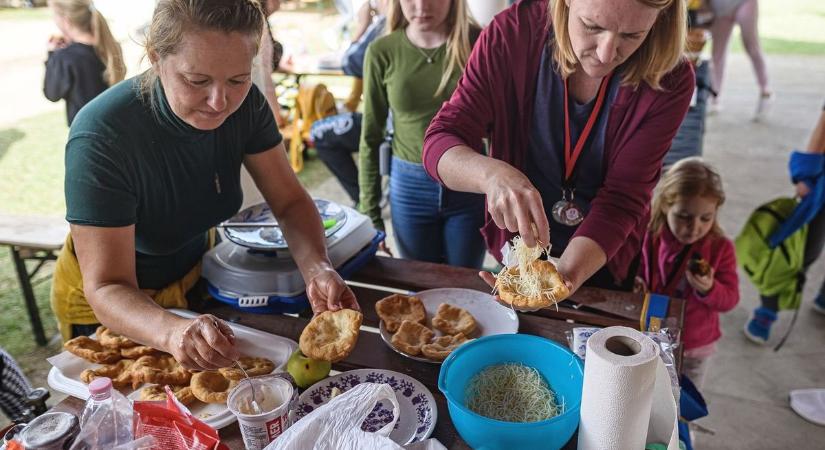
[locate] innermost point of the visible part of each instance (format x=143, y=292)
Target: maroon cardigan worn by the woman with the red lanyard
x=494, y=99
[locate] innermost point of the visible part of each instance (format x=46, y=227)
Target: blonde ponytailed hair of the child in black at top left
x=82, y=15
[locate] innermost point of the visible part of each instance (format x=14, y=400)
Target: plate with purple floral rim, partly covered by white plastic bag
x=418, y=415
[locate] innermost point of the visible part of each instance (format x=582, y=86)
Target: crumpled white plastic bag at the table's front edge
x=337, y=425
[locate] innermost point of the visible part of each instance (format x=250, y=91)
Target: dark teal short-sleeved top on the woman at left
x=130, y=164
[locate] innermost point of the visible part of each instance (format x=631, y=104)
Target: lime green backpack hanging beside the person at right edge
x=777, y=271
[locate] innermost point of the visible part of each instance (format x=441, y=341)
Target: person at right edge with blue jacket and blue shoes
x=811, y=189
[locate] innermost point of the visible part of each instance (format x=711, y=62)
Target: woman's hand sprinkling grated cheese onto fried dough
x=515, y=205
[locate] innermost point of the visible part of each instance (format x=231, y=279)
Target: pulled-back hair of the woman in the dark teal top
x=173, y=18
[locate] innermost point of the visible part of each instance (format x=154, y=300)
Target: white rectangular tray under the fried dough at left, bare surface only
x=251, y=342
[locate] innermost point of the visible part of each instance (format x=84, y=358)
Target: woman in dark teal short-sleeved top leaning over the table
x=154, y=163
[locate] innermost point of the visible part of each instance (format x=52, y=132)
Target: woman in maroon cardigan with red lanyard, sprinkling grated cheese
x=579, y=101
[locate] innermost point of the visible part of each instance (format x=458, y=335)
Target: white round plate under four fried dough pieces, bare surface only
x=490, y=317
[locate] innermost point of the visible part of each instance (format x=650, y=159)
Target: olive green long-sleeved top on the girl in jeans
x=397, y=78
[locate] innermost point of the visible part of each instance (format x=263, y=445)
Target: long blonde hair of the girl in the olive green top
x=459, y=23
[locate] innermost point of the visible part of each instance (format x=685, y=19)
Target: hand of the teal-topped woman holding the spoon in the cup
x=203, y=343
